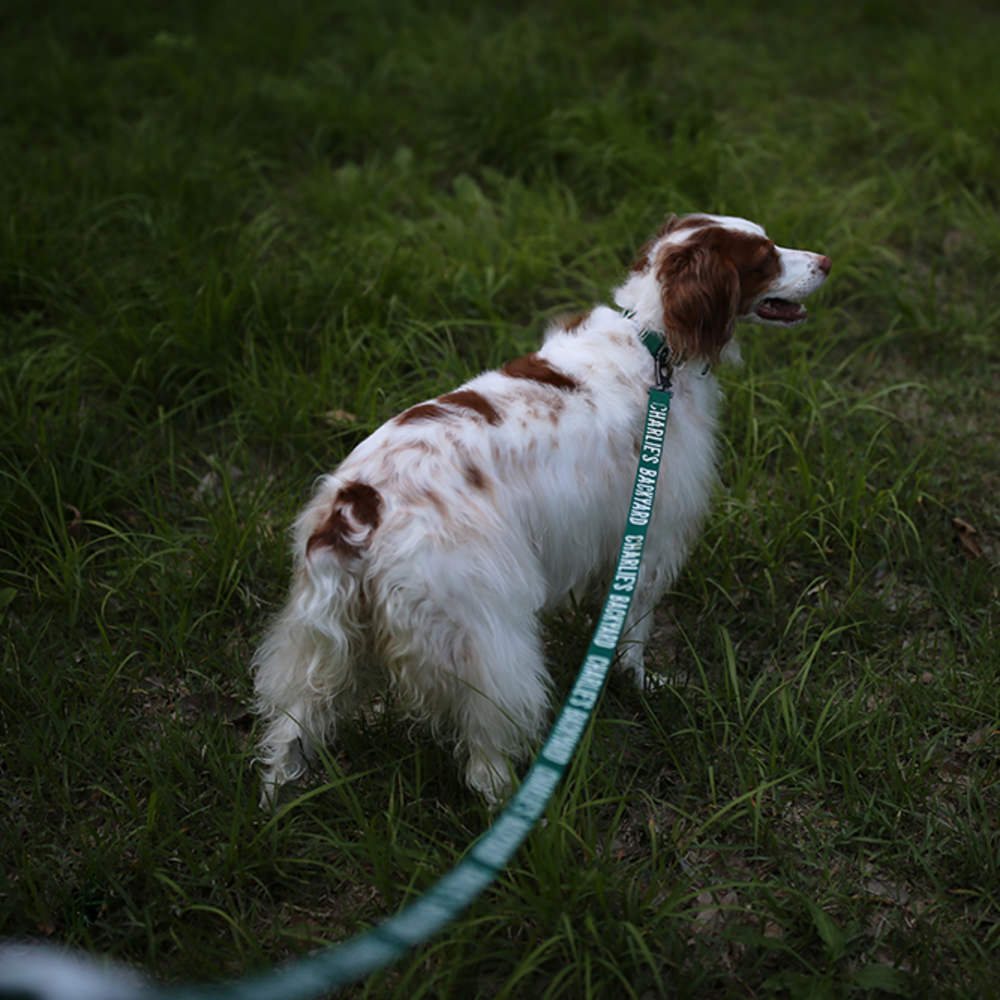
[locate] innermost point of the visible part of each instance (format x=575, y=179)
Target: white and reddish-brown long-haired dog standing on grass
x=430, y=552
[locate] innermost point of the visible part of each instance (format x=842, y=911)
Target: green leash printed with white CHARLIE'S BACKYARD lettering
x=336, y=966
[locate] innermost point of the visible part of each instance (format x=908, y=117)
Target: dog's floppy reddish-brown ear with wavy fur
x=700, y=290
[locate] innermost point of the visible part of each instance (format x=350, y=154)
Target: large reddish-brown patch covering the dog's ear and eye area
x=707, y=282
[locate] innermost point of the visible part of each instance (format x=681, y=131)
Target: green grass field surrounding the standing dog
x=237, y=237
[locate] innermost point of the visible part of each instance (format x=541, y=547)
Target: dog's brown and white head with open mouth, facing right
x=702, y=273
